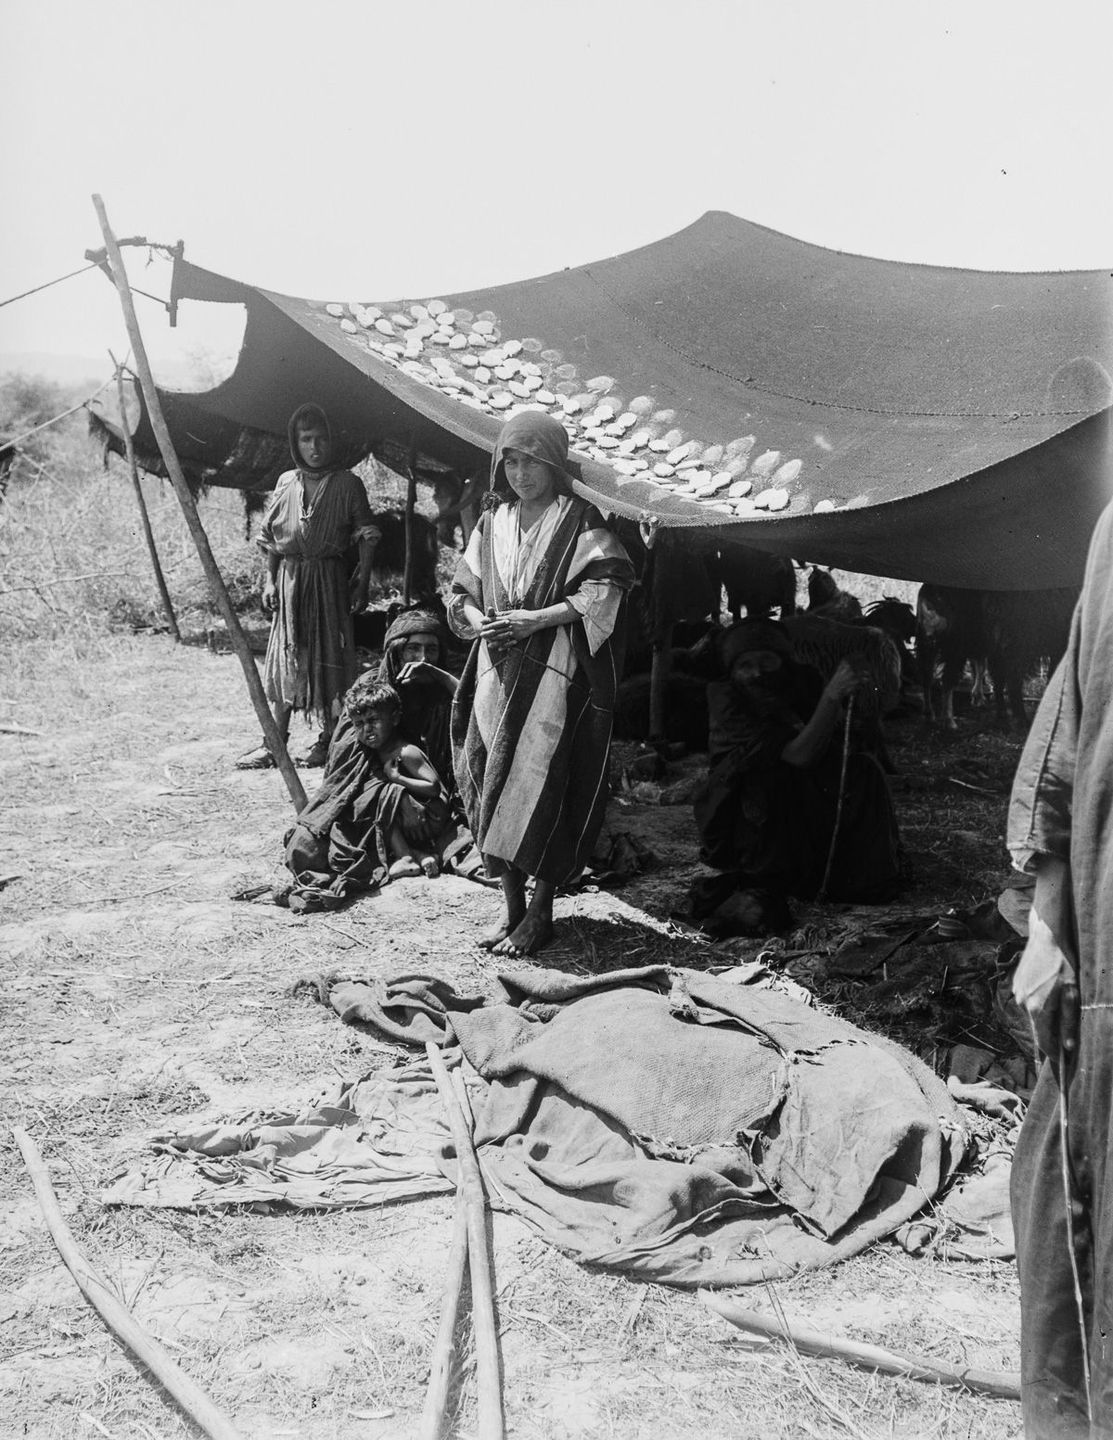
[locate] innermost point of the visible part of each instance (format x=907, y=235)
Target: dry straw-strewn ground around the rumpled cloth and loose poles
x=138, y=993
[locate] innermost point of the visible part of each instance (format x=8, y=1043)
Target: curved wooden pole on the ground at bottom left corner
x=123, y=1324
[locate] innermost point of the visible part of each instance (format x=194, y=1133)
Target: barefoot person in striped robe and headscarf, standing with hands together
x=539, y=593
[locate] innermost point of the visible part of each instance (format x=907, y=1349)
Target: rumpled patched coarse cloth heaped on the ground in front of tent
x=688, y=1130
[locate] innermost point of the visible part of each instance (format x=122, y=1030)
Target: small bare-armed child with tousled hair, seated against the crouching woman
x=375, y=716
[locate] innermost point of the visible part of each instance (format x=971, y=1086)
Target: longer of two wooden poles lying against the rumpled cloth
x=489, y=1380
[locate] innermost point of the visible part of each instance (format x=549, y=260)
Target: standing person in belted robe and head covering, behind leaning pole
x=317, y=515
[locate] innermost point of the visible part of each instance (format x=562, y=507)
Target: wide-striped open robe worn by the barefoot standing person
x=532, y=724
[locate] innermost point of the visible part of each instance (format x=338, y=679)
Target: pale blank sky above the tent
x=362, y=150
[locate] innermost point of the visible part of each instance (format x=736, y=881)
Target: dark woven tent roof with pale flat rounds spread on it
x=901, y=420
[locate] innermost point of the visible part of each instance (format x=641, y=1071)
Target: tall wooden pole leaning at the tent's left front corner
x=217, y=582
